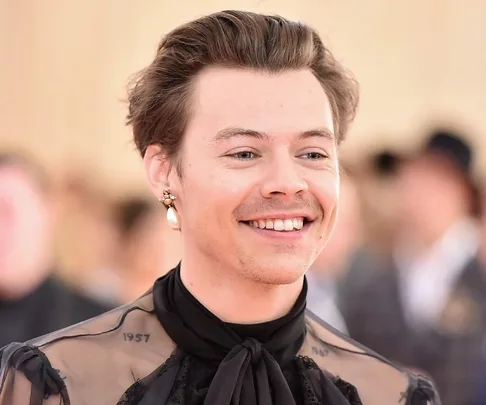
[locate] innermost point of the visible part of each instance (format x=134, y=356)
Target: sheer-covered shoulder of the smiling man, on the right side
x=377, y=380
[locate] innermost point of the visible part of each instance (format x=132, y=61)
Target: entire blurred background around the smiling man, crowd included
x=409, y=229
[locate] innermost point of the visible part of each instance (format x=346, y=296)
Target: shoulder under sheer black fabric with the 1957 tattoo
x=106, y=354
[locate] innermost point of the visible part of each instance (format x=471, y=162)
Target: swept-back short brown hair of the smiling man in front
x=159, y=94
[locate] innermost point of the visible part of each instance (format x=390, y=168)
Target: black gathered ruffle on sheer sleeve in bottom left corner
x=36, y=367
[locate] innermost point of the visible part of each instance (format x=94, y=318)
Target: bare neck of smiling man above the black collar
x=232, y=297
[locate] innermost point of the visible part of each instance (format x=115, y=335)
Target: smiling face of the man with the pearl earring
x=260, y=176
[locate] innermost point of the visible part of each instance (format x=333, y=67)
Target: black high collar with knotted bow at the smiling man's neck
x=248, y=372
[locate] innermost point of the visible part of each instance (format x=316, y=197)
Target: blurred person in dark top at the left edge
x=32, y=301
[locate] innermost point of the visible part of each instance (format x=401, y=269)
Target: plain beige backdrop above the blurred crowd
x=64, y=66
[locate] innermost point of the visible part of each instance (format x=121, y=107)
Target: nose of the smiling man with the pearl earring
x=283, y=178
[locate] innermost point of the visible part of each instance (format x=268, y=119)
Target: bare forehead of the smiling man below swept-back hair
x=288, y=102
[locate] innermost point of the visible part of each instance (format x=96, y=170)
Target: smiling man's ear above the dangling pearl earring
x=157, y=168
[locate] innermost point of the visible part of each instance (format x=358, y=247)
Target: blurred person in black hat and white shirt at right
x=427, y=310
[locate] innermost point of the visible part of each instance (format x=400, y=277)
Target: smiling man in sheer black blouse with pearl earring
x=238, y=119
